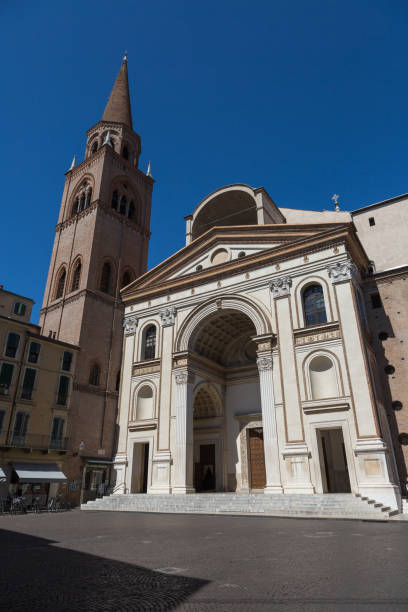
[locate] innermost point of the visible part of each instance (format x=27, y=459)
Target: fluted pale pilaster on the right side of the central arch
x=270, y=433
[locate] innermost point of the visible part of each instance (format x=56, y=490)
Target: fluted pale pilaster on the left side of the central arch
x=184, y=432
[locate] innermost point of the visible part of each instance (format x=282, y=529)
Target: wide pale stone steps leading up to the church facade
x=317, y=505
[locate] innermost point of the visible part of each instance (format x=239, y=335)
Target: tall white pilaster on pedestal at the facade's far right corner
x=373, y=472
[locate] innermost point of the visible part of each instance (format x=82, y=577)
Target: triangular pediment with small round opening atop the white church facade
x=254, y=244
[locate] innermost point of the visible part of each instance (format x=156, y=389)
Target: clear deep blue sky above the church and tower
x=303, y=98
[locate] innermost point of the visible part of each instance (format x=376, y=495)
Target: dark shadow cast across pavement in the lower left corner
x=39, y=576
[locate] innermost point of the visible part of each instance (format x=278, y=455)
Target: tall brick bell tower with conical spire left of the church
x=101, y=245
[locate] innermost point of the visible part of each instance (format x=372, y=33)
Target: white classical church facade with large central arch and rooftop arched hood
x=247, y=361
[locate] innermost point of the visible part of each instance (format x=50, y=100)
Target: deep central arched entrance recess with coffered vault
x=223, y=355
